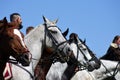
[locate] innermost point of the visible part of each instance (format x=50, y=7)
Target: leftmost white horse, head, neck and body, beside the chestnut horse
x=44, y=36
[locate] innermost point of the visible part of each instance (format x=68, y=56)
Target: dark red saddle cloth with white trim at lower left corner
x=7, y=72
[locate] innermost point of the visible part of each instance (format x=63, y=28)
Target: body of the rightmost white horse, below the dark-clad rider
x=107, y=69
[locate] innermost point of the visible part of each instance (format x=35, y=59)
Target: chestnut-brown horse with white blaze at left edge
x=11, y=44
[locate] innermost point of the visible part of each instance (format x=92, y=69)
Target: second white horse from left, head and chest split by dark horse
x=83, y=55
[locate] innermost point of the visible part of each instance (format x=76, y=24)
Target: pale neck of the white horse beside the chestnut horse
x=34, y=42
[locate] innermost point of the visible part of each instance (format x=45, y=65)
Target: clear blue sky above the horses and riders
x=97, y=21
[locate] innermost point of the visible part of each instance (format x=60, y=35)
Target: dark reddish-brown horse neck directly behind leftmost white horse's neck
x=44, y=65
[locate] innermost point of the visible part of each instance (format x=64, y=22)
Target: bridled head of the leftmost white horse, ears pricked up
x=54, y=39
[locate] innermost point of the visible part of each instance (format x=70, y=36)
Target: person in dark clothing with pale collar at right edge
x=113, y=52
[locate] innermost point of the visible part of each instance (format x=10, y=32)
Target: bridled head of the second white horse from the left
x=83, y=53
